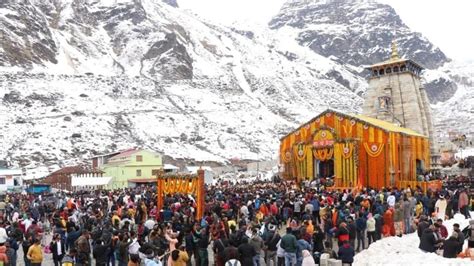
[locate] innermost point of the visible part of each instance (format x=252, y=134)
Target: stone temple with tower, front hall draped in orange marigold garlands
x=387, y=146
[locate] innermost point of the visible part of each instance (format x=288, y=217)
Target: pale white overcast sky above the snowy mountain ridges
x=448, y=24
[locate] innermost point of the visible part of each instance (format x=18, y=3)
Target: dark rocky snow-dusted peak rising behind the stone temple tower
x=359, y=32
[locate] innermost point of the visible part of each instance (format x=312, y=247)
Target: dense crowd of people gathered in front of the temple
x=257, y=223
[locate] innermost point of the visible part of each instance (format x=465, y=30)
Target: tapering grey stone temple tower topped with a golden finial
x=396, y=95
